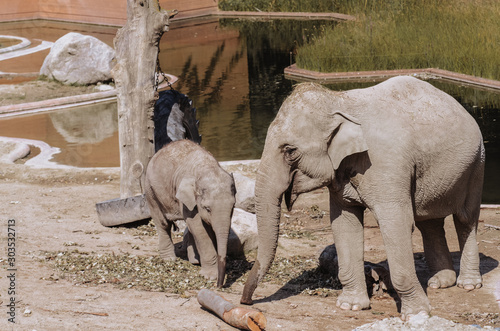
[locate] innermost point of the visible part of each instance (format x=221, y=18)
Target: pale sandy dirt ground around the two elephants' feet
x=54, y=211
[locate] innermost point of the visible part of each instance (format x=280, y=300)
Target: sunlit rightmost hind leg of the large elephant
x=466, y=226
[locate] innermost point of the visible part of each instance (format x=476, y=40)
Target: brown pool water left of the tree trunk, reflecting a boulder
x=87, y=138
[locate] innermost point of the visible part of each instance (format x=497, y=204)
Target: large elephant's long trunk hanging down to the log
x=269, y=189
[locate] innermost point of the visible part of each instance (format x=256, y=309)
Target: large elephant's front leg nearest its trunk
x=347, y=226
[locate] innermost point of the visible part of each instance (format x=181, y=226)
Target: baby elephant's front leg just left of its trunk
x=204, y=246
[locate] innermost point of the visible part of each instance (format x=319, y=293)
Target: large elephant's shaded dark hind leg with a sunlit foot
x=437, y=254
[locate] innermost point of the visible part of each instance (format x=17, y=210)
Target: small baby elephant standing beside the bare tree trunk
x=184, y=181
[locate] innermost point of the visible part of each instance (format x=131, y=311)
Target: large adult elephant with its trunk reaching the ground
x=403, y=149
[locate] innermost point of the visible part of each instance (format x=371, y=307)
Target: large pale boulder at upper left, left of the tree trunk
x=79, y=59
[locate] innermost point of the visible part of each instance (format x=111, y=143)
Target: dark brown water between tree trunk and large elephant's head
x=233, y=71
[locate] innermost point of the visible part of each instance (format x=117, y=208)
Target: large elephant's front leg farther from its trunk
x=396, y=226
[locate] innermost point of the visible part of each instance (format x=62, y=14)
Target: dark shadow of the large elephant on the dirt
x=318, y=281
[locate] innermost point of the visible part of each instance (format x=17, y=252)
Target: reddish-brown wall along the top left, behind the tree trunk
x=109, y=12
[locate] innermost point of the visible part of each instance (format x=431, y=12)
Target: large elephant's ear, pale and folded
x=347, y=139
